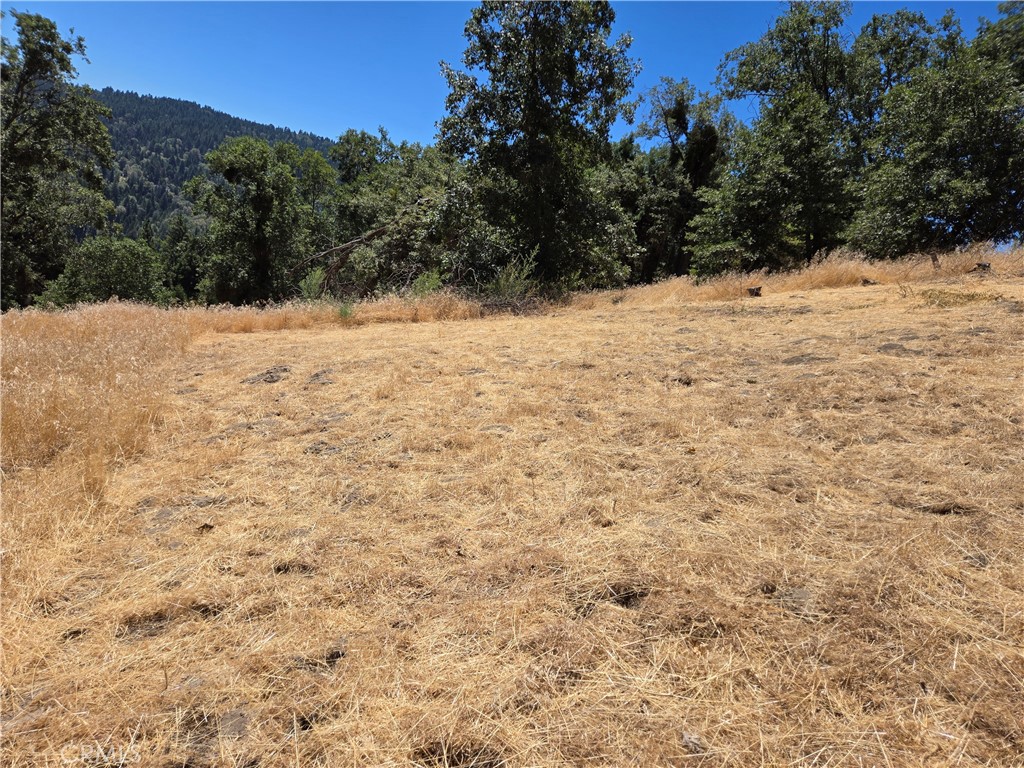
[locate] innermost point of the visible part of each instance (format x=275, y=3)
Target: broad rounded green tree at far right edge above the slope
x=950, y=151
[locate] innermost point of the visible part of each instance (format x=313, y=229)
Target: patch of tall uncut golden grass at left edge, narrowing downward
x=82, y=393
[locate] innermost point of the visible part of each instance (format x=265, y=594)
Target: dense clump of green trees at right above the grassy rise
x=907, y=139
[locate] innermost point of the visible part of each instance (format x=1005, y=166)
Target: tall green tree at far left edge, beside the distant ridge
x=53, y=147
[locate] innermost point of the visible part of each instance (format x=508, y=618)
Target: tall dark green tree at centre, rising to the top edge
x=542, y=87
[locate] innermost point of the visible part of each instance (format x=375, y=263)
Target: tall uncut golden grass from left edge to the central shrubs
x=91, y=380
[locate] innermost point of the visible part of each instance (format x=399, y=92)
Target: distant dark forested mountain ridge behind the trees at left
x=159, y=145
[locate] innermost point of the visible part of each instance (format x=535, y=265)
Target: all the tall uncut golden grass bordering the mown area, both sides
x=89, y=381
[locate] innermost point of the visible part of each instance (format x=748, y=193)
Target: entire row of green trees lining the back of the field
x=908, y=138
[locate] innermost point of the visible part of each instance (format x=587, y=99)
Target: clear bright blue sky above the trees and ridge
x=327, y=67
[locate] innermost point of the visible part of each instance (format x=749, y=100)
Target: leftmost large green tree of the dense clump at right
x=786, y=195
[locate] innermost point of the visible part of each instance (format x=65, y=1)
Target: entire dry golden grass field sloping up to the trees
x=673, y=526
